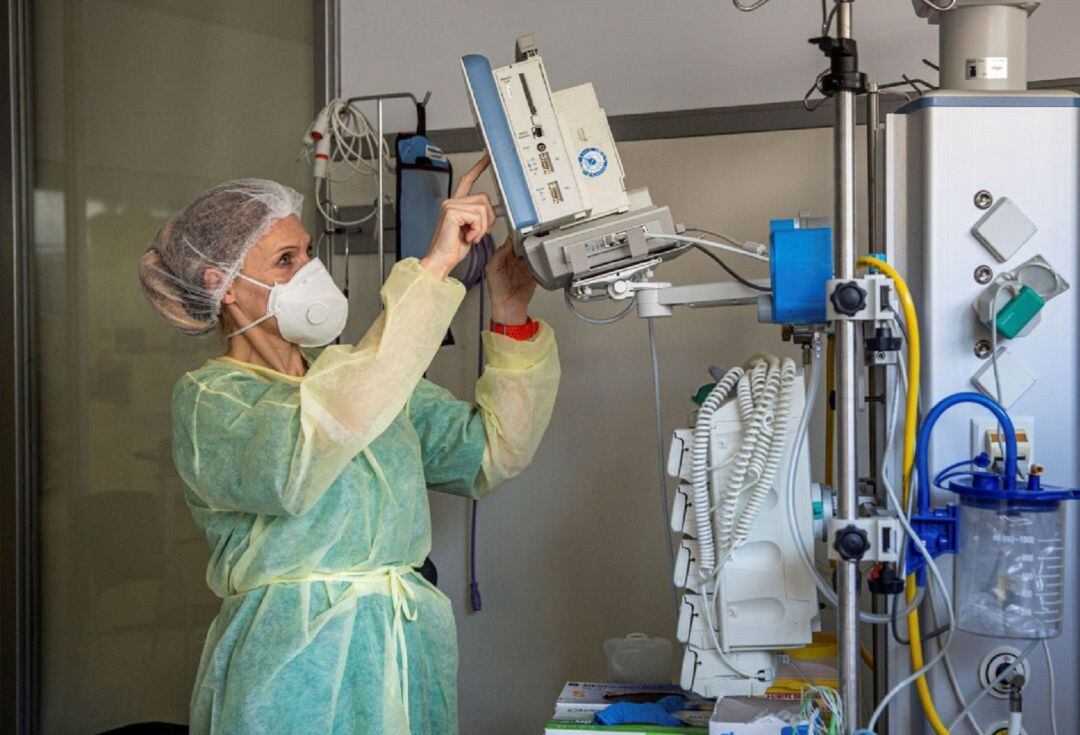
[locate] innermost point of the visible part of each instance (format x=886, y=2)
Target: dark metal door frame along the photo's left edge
x=19, y=512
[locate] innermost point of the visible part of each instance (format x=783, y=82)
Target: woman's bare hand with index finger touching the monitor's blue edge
x=464, y=221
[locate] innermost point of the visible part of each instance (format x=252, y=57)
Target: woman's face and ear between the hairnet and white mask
x=274, y=260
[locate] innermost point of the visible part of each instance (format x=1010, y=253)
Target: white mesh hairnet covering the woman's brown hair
x=217, y=230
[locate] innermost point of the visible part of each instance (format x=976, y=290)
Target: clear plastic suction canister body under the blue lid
x=1009, y=570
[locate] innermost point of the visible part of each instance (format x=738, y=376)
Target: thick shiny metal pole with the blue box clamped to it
x=847, y=365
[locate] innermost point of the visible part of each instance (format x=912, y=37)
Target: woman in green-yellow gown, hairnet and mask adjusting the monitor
x=308, y=471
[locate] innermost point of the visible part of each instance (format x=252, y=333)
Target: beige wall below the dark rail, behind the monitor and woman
x=572, y=552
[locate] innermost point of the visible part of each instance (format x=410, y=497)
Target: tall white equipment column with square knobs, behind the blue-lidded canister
x=944, y=152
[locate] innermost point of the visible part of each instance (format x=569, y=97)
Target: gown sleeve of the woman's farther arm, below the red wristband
x=471, y=450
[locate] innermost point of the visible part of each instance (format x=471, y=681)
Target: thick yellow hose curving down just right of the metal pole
x=911, y=427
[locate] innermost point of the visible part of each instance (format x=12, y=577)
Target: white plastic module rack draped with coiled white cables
x=768, y=603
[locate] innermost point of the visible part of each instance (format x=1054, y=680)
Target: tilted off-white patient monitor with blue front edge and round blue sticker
x=560, y=175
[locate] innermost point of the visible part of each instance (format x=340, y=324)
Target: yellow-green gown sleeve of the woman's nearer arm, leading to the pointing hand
x=258, y=446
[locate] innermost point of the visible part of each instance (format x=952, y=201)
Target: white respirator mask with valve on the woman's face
x=310, y=309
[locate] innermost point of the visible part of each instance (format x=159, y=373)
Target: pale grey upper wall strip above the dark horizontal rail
x=649, y=57
